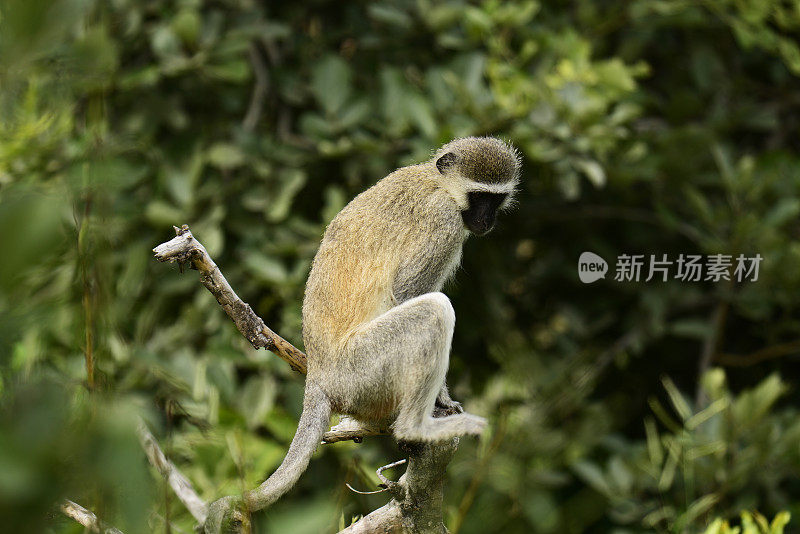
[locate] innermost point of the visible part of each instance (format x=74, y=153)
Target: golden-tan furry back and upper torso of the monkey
x=398, y=239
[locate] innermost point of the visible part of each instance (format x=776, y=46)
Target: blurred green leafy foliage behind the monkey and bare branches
x=646, y=127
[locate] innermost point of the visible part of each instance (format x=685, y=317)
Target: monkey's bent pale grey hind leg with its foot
x=415, y=339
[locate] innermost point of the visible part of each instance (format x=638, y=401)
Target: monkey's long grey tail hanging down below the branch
x=313, y=424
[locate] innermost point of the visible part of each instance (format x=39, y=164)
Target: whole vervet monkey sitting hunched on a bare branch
x=377, y=330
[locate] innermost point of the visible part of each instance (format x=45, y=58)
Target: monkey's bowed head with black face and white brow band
x=481, y=175
